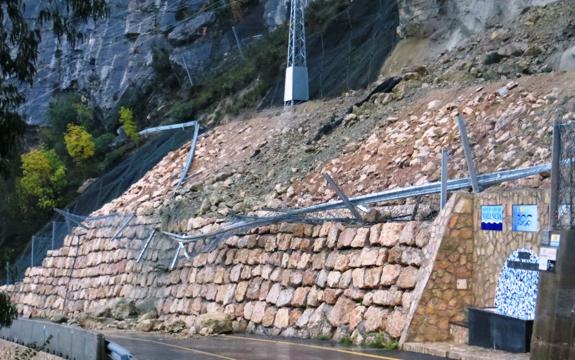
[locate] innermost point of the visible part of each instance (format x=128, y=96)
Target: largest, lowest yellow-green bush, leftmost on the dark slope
x=43, y=179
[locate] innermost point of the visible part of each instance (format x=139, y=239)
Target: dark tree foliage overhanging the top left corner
x=19, y=40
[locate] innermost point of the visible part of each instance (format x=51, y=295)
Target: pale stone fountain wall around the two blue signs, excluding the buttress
x=493, y=247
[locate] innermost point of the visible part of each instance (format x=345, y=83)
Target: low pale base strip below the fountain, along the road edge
x=461, y=351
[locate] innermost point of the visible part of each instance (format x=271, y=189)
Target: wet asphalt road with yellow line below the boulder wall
x=238, y=347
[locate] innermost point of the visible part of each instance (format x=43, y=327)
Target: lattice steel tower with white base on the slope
x=296, y=83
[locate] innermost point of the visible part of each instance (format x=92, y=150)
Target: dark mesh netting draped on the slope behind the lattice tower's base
x=350, y=52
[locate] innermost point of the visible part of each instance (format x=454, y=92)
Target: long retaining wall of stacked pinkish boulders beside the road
x=288, y=279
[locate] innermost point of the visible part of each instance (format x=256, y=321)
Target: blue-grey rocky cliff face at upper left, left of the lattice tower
x=118, y=54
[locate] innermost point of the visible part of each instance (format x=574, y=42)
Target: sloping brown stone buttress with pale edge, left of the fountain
x=443, y=294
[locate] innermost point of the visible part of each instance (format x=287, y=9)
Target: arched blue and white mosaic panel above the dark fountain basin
x=516, y=294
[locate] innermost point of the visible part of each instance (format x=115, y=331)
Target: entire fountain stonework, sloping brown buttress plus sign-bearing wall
x=463, y=262
